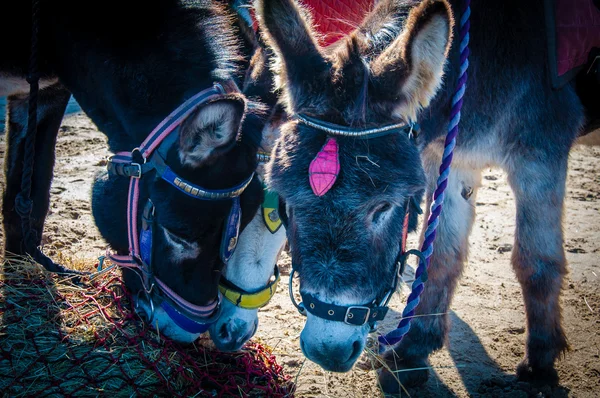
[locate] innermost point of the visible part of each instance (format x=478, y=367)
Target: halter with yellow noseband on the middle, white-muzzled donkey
x=257, y=299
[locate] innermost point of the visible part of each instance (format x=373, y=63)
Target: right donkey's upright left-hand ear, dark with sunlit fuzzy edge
x=299, y=64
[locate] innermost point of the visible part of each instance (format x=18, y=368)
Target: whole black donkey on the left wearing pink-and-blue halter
x=129, y=70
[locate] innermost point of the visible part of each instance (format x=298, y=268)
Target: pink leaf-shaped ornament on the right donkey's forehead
x=324, y=168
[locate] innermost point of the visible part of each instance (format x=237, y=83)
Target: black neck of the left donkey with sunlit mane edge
x=128, y=75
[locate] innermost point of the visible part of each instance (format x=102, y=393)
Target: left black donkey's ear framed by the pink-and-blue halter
x=210, y=130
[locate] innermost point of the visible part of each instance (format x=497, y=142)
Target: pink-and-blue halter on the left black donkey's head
x=150, y=156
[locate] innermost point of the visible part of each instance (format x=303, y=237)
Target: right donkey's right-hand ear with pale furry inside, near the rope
x=410, y=70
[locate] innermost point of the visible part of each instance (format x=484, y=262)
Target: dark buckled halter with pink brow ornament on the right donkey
x=371, y=313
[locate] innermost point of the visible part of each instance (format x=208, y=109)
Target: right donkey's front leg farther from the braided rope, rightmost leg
x=539, y=260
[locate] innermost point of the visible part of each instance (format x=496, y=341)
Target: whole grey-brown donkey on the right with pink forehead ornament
x=345, y=242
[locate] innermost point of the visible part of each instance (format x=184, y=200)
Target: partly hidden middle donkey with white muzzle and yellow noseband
x=251, y=276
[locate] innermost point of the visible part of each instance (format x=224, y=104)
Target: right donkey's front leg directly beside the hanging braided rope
x=428, y=332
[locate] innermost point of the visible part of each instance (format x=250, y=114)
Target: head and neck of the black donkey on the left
x=150, y=66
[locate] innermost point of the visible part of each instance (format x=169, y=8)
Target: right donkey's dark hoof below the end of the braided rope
x=402, y=374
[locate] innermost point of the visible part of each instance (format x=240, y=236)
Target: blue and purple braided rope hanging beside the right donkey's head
x=418, y=285
